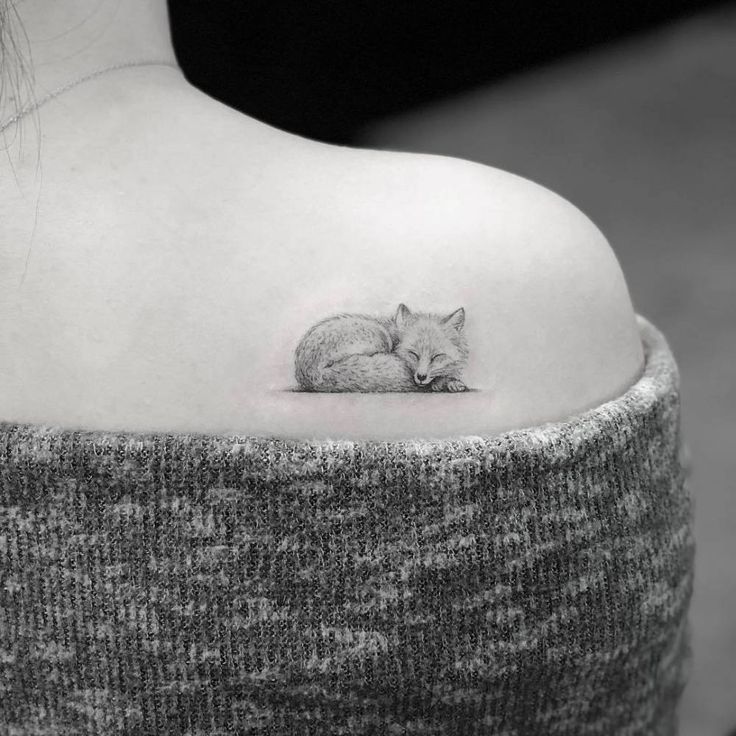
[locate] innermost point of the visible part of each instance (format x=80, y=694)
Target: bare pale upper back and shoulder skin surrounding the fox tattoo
x=159, y=273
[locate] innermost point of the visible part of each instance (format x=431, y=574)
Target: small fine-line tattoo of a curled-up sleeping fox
x=411, y=351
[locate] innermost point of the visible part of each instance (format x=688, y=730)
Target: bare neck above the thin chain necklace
x=72, y=38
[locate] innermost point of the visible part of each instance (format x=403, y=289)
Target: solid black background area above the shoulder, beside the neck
x=325, y=69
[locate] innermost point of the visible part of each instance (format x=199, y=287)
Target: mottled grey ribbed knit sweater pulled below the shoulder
x=536, y=582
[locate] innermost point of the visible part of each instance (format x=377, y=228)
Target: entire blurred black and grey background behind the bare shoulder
x=626, y=109
